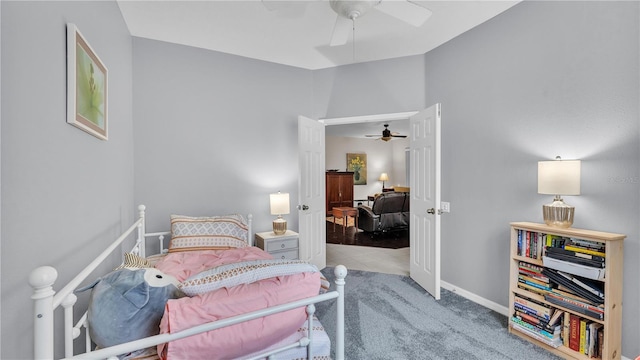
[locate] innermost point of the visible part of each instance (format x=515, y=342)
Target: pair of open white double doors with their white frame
x=424, y=194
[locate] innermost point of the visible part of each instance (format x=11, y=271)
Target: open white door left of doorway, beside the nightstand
x=311, y=189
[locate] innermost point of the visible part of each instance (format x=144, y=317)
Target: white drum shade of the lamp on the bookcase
x=559, y=177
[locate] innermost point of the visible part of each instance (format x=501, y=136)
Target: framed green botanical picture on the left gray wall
x=86, y=86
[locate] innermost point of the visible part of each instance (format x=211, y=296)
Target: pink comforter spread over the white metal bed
x=240, y=339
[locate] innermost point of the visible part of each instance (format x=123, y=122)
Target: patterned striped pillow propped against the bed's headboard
x=208, y=233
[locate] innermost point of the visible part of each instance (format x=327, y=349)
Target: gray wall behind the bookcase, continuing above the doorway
x=540, y=80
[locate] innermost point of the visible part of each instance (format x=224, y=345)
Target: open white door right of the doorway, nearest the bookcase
x=424, y=233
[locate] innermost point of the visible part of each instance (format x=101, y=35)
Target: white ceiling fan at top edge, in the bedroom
x=349, y=10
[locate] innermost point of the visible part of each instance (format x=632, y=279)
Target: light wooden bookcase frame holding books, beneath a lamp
x=612, y=322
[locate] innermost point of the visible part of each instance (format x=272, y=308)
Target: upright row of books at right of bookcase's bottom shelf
x=582, y=335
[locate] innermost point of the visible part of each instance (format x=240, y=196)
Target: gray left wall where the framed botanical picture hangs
x=65, y=194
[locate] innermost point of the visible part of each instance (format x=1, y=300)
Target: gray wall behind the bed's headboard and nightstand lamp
x=215, y=133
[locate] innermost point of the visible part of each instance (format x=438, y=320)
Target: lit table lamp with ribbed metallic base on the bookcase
x=558, y=177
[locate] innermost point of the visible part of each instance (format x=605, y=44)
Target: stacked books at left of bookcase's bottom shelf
x=537, y=320
